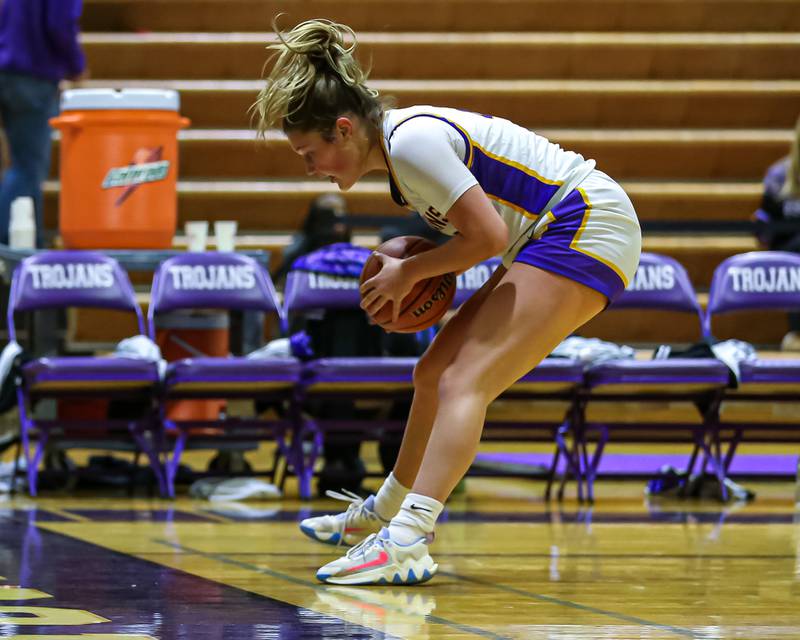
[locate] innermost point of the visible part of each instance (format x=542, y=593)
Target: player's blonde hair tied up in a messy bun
x=315, y=78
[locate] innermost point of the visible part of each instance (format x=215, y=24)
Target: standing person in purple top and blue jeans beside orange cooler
x=39, y=48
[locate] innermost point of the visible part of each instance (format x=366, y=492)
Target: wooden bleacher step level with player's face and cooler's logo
x=624, y=154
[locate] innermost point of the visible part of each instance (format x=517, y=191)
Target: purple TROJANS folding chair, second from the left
x=225, y=281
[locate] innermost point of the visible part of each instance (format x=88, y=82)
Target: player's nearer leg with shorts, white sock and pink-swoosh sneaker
x=580, y=255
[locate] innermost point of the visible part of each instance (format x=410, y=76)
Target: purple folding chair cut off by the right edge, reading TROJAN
x=758, y=280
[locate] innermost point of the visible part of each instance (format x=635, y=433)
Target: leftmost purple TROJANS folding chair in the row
x=61, y=279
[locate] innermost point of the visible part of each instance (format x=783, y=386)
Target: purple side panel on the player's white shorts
x=552, y=251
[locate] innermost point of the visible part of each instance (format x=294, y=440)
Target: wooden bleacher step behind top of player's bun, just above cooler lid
x=516, y=55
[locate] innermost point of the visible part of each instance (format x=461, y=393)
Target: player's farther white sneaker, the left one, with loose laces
x=347, y=528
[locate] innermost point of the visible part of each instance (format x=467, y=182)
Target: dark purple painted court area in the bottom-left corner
x=136, y=594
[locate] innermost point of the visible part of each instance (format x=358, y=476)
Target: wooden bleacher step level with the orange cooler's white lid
x=533, y=103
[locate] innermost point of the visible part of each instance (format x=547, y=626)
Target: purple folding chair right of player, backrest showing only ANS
x=660, y=283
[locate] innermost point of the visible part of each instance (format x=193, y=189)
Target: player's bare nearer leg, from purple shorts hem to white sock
x=528, y=314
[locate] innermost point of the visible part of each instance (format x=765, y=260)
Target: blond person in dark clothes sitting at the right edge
x=780, y=207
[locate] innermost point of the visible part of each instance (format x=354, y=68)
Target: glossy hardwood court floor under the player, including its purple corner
x=510, y=567
